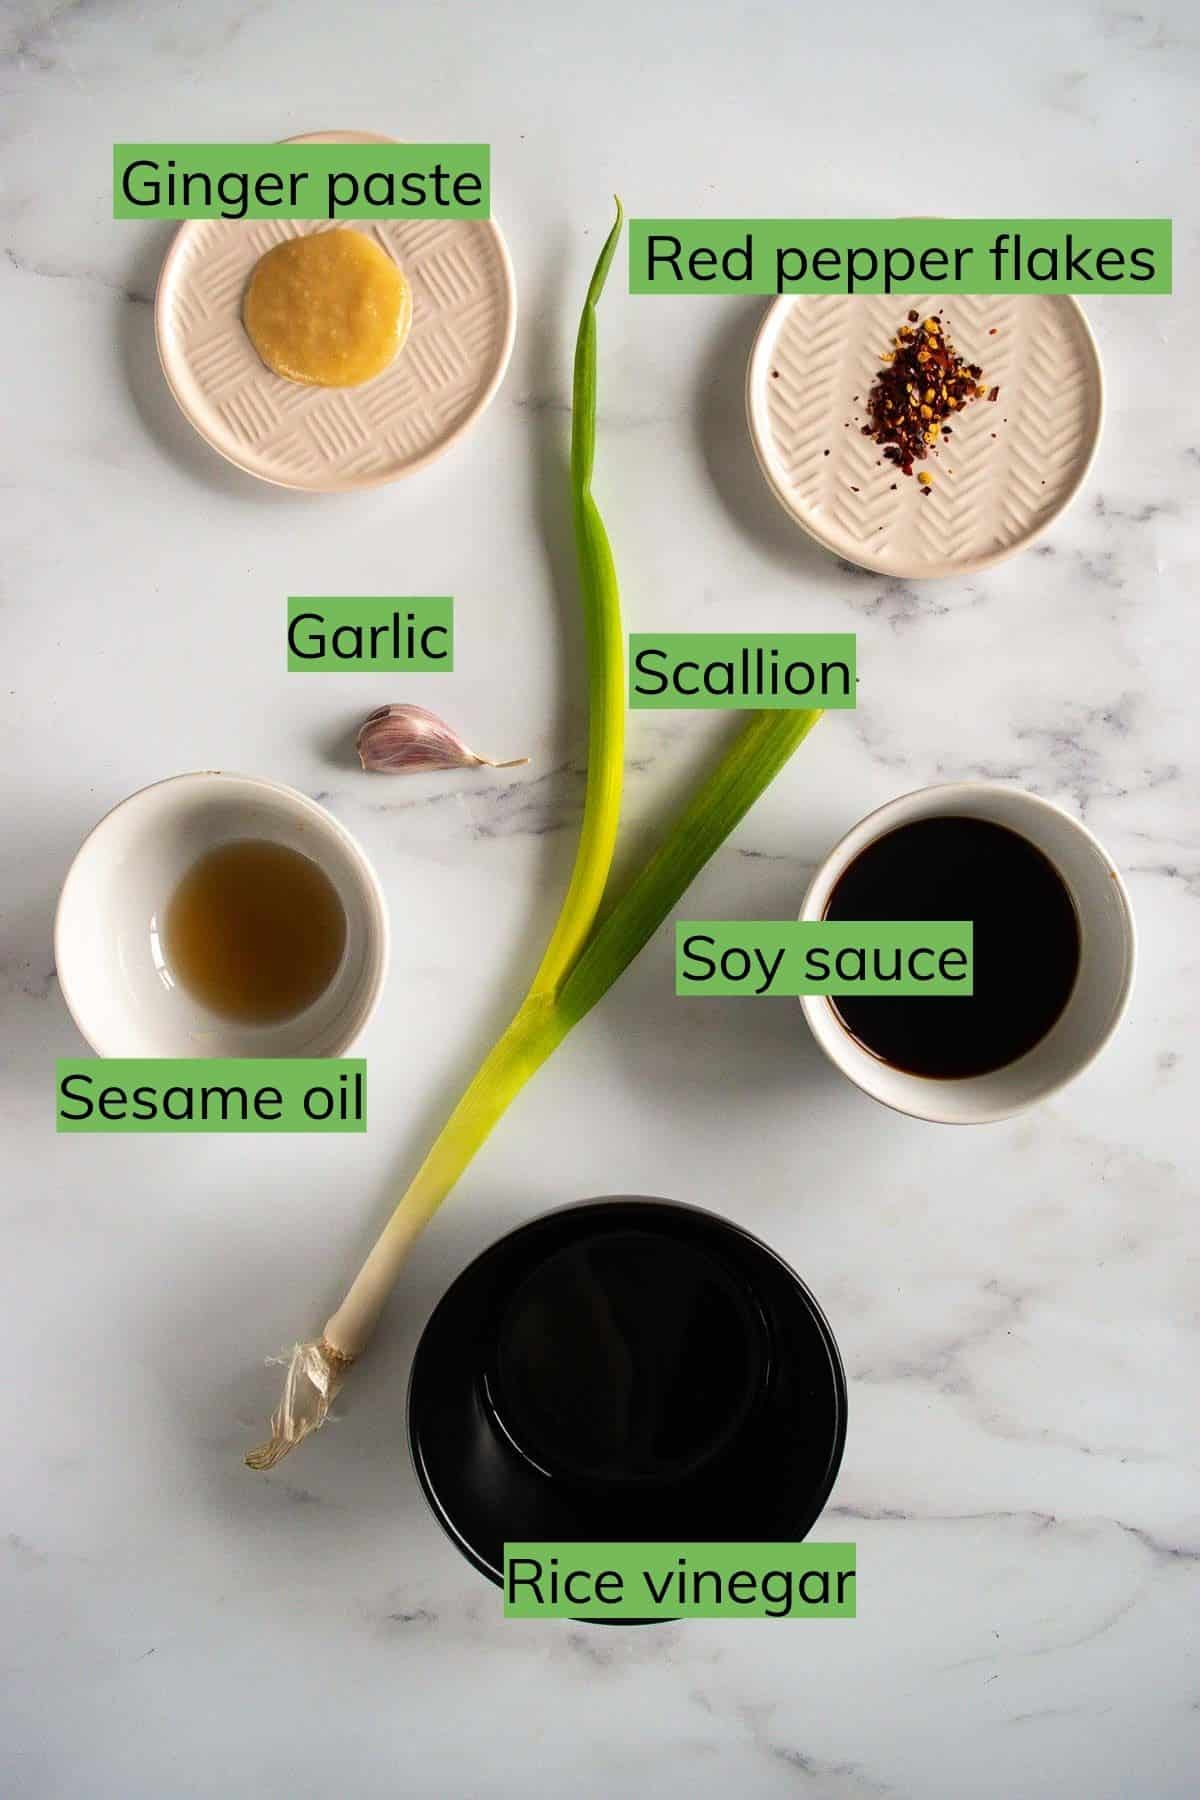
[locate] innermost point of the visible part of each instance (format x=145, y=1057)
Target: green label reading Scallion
x=710, y=670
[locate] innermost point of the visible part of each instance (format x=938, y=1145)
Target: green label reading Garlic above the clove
x=372, y=633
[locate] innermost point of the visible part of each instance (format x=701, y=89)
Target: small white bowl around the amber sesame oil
x=107, y=930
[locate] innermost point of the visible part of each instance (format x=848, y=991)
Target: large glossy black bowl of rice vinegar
x=627, y=1371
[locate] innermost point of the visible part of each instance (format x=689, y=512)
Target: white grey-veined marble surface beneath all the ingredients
x=1017, y=1304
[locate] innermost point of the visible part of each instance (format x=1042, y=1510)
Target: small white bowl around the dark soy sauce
x=1098, y=1000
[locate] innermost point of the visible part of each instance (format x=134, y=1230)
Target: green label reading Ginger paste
x=301, y=181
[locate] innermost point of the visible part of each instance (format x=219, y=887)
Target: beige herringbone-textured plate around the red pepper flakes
x=992, y=496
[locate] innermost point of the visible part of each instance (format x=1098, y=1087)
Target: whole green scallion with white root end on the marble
x=596, y=935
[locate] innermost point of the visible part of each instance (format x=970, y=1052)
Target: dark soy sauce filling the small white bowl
x=1026, y=946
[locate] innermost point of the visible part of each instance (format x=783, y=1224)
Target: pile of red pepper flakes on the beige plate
x=924, y=382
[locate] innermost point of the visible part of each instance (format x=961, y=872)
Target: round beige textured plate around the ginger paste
x=337, y=438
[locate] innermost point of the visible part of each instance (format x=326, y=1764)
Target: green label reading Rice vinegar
x=679, y=1581
